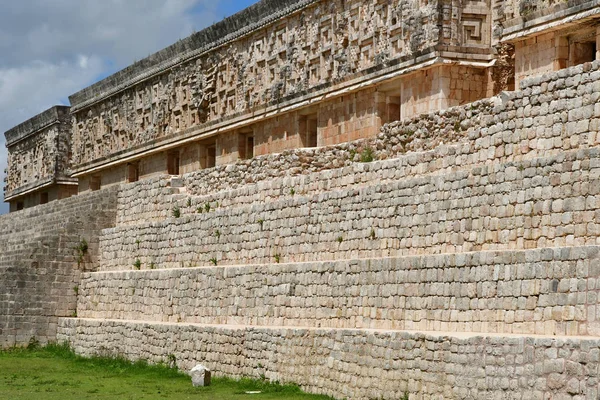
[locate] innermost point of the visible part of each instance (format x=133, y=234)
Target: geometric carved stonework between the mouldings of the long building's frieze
x=325, y=42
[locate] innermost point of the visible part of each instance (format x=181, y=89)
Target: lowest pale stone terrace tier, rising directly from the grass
x=358, y=363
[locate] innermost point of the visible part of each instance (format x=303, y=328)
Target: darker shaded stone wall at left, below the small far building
x=39, y=266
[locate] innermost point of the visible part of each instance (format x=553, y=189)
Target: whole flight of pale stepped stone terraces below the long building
x=462, y=272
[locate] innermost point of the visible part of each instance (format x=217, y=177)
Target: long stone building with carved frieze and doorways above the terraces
x=298, y=74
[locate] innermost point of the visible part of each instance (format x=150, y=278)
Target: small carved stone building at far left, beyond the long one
x=38, y=160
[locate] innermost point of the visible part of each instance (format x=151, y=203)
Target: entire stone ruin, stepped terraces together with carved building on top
x=367, y=198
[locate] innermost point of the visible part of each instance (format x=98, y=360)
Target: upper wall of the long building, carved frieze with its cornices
x=274, y=55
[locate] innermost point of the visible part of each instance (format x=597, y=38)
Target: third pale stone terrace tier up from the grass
x=547, y=202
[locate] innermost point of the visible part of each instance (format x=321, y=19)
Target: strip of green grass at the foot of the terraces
x=55, y=372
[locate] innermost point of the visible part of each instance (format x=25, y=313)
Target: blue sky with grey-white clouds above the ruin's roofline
x=52, y=49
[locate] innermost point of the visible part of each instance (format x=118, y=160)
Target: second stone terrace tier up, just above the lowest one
x=542, y=291
